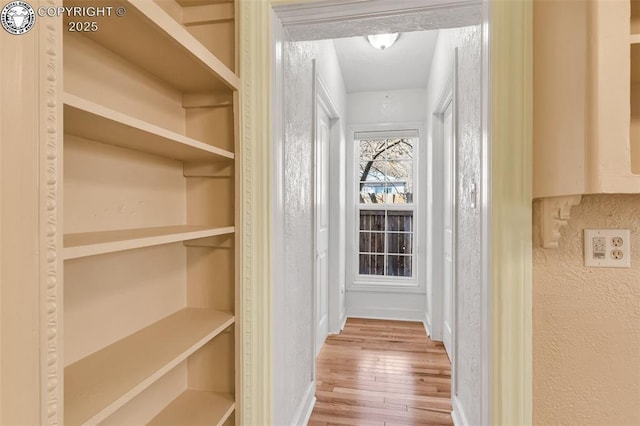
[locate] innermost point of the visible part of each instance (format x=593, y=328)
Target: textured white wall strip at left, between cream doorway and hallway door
x=293, y=345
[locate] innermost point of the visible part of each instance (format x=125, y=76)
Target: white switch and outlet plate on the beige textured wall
x=607, y=248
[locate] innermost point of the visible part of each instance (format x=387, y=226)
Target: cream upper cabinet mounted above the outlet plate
x=582, y=90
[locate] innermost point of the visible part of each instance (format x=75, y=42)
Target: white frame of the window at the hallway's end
x=385, y=283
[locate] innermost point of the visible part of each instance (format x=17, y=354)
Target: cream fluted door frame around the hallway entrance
x=505, y=206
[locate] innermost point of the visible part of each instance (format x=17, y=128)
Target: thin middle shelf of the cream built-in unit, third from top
x=93, y=243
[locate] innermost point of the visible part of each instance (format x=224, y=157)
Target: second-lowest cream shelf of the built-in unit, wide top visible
x=96, y=386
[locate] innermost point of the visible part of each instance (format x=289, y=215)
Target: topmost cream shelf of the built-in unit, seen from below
x=149, y=38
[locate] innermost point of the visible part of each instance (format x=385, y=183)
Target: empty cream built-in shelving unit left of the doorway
x=150, y=147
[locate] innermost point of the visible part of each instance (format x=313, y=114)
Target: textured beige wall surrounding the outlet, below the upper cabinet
x=586, y=323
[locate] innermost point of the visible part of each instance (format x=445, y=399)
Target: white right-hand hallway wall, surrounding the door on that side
x=466, y=400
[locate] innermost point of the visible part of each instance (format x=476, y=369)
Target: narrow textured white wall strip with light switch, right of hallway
x=469, y=140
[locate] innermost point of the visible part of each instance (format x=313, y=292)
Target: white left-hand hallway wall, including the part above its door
x=293, y=355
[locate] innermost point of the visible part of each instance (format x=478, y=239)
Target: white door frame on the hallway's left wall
x=321, y=96
